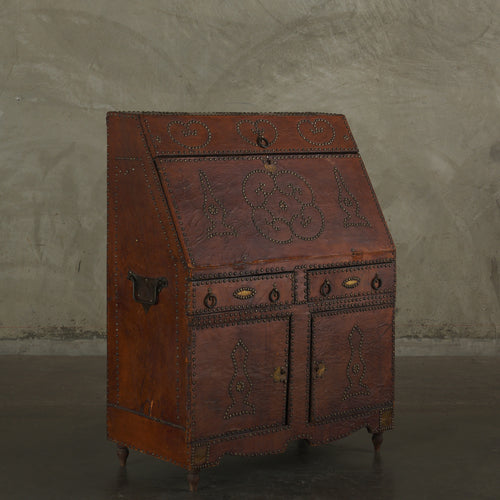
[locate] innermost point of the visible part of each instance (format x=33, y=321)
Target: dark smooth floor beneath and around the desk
x=446, y=443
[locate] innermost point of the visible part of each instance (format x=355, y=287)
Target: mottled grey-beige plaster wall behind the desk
x=418, y=81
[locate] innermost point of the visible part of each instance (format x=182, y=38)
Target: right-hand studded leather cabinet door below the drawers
x=351, y=363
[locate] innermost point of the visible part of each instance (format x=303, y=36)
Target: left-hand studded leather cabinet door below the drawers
x=240, y=377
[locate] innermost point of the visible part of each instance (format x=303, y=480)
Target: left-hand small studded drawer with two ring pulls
x=260, y=291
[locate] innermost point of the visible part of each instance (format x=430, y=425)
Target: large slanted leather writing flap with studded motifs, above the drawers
x=292, y=216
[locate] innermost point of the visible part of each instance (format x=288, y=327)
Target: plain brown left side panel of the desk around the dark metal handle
x=146, y=353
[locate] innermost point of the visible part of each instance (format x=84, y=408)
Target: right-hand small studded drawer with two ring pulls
x=326, y=284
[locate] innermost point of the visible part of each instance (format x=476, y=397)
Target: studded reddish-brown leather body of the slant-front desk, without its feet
x=274, y=320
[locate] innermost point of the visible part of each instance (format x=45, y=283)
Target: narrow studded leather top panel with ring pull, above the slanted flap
x=171, y=134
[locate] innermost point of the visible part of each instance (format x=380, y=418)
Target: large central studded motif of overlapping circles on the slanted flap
x=283, y=206
